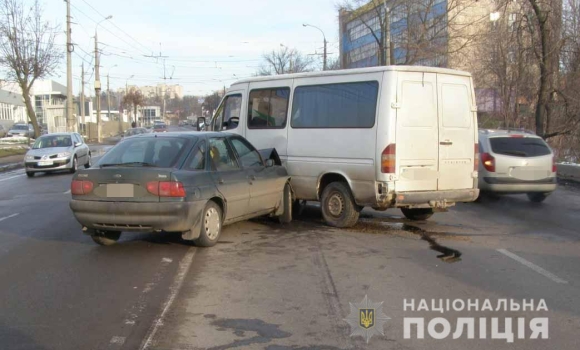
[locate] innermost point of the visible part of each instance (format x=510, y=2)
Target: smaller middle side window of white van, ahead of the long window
x=268, y=108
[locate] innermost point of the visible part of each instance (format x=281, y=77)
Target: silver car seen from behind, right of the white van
x=516, y=162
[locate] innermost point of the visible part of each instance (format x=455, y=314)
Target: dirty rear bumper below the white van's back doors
x=435, y=199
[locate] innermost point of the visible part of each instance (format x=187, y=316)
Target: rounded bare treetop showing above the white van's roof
x=285, y=61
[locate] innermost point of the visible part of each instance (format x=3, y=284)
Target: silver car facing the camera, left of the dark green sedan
x=58, y=151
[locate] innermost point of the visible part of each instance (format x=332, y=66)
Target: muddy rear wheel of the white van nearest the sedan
x=338, y=206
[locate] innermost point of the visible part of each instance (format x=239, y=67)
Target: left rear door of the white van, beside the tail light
x=417, y=144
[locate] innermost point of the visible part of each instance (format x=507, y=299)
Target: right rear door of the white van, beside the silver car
x=457, y=132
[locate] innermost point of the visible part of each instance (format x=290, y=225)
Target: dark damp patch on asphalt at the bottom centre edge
x=266, y=332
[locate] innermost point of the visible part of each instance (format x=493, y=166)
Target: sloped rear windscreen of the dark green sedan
x=153, y=151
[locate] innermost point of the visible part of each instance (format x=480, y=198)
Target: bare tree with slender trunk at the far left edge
x=27, y=48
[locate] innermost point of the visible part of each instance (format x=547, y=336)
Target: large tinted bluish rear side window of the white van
x=345, y=105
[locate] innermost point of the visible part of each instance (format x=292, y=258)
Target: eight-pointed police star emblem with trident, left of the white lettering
x=366, y=319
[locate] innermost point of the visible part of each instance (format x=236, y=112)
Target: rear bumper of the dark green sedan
x=138, y=216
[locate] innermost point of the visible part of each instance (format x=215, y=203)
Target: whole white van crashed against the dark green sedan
x=381, y=137
